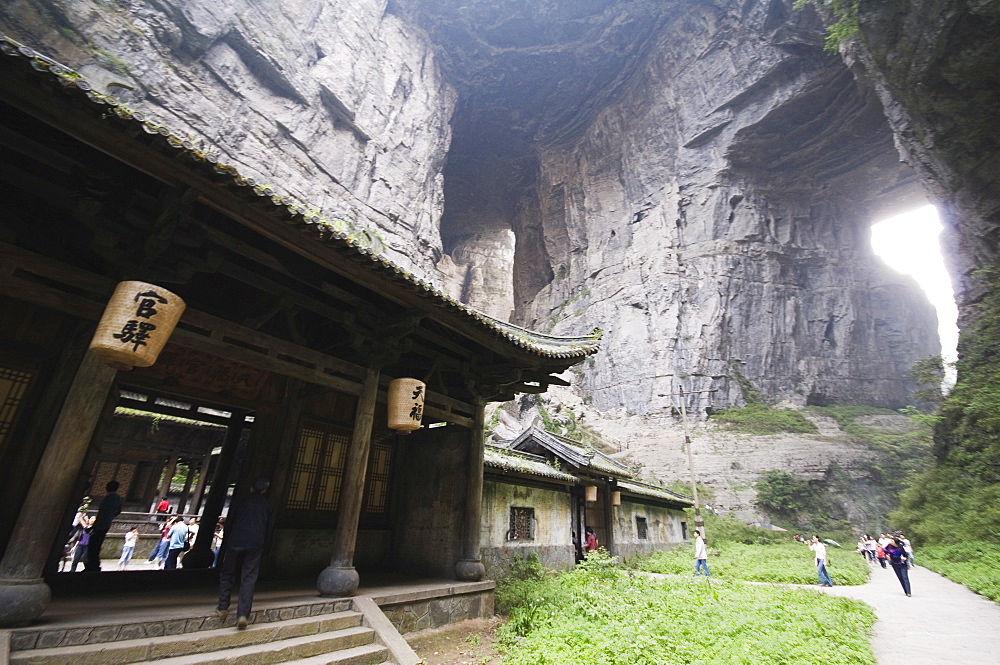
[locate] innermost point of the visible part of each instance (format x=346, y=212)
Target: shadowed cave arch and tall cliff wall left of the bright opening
x=703, y=194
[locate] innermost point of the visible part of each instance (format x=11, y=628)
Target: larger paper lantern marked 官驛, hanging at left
x=136, y=324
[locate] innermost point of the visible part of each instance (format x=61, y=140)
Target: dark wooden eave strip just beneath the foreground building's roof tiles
x=153, y=151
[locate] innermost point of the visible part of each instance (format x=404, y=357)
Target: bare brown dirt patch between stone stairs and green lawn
x=469, y=642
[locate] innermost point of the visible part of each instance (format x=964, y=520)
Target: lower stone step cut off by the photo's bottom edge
x=357, y=648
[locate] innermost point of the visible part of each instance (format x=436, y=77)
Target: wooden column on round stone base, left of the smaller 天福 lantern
x=340, y=578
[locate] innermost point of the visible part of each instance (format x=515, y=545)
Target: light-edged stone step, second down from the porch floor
x=342, y=625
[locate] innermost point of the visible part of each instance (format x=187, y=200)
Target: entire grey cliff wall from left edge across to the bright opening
x=697, y=179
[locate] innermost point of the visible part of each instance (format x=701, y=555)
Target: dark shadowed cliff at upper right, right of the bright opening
x=936, y=68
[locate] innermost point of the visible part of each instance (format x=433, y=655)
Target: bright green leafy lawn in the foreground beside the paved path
x=598, y=614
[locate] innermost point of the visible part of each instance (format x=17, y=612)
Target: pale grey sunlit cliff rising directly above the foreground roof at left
x=335, y=103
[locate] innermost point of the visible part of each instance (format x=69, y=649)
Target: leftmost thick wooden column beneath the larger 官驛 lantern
x=23, y=594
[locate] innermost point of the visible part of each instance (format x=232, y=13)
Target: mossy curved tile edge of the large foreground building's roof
x=337, y=234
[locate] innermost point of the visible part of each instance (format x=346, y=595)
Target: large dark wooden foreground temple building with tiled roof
x=279, y=366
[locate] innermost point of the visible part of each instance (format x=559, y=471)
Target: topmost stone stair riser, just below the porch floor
x=22, y=639
